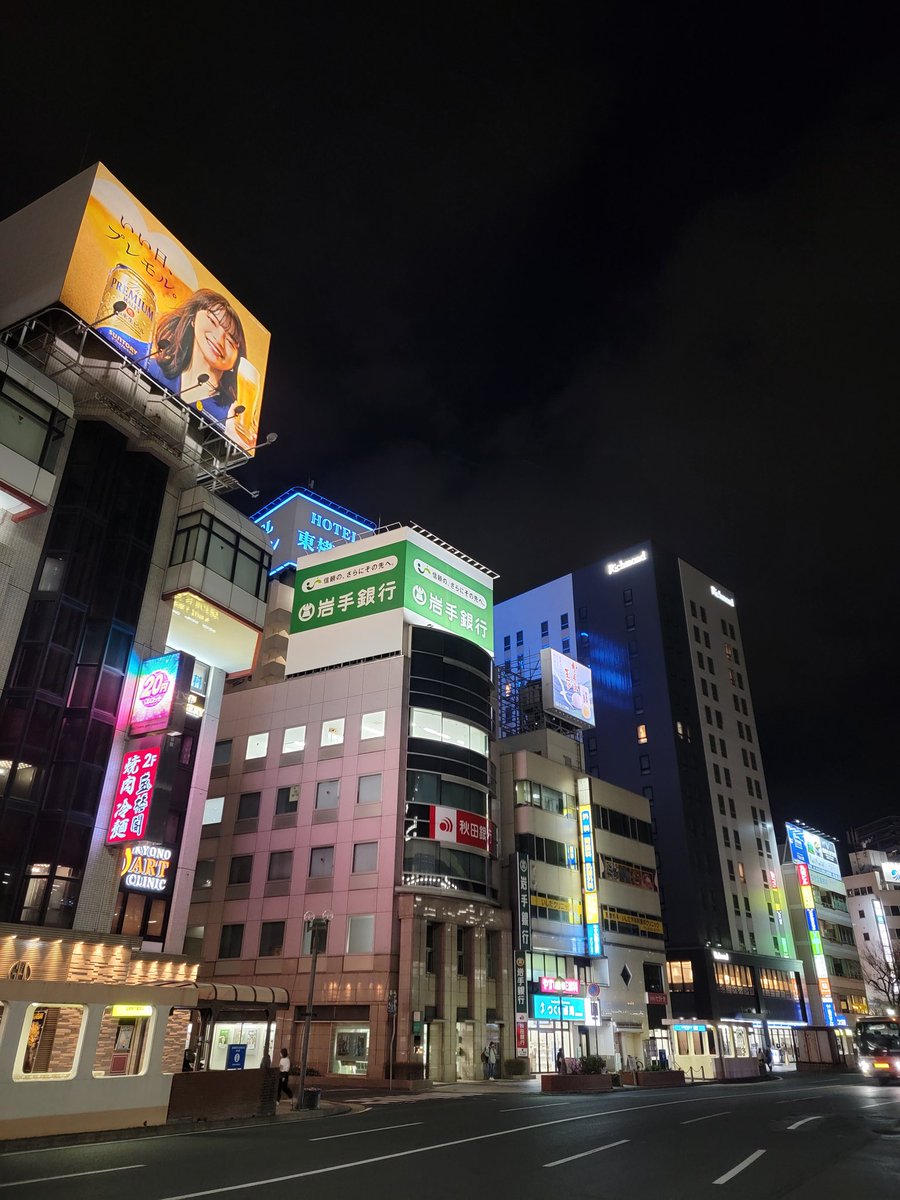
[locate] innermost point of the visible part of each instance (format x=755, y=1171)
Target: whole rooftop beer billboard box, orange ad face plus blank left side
x=94, y=248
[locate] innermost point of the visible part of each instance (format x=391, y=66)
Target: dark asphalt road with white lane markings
x=808, y=1141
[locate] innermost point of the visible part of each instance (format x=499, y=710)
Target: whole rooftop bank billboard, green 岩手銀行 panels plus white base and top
x=352, y=603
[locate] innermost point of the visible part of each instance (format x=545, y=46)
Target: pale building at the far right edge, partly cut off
x=874, y=901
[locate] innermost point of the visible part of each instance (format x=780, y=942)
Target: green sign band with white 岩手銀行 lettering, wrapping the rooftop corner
x=399, y=577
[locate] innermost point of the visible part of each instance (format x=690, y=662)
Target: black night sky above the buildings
x=550, y=280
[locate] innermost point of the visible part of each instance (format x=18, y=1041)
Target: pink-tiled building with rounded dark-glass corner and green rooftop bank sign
x=358, y=794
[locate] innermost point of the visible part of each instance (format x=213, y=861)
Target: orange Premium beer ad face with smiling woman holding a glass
x=137, y=286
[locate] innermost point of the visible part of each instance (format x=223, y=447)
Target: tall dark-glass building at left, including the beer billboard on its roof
x=127, y=584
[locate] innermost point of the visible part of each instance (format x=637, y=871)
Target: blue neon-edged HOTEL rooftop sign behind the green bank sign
x=301, y=524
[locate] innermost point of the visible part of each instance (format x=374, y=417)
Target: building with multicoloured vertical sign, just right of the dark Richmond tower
x=823, y=928
